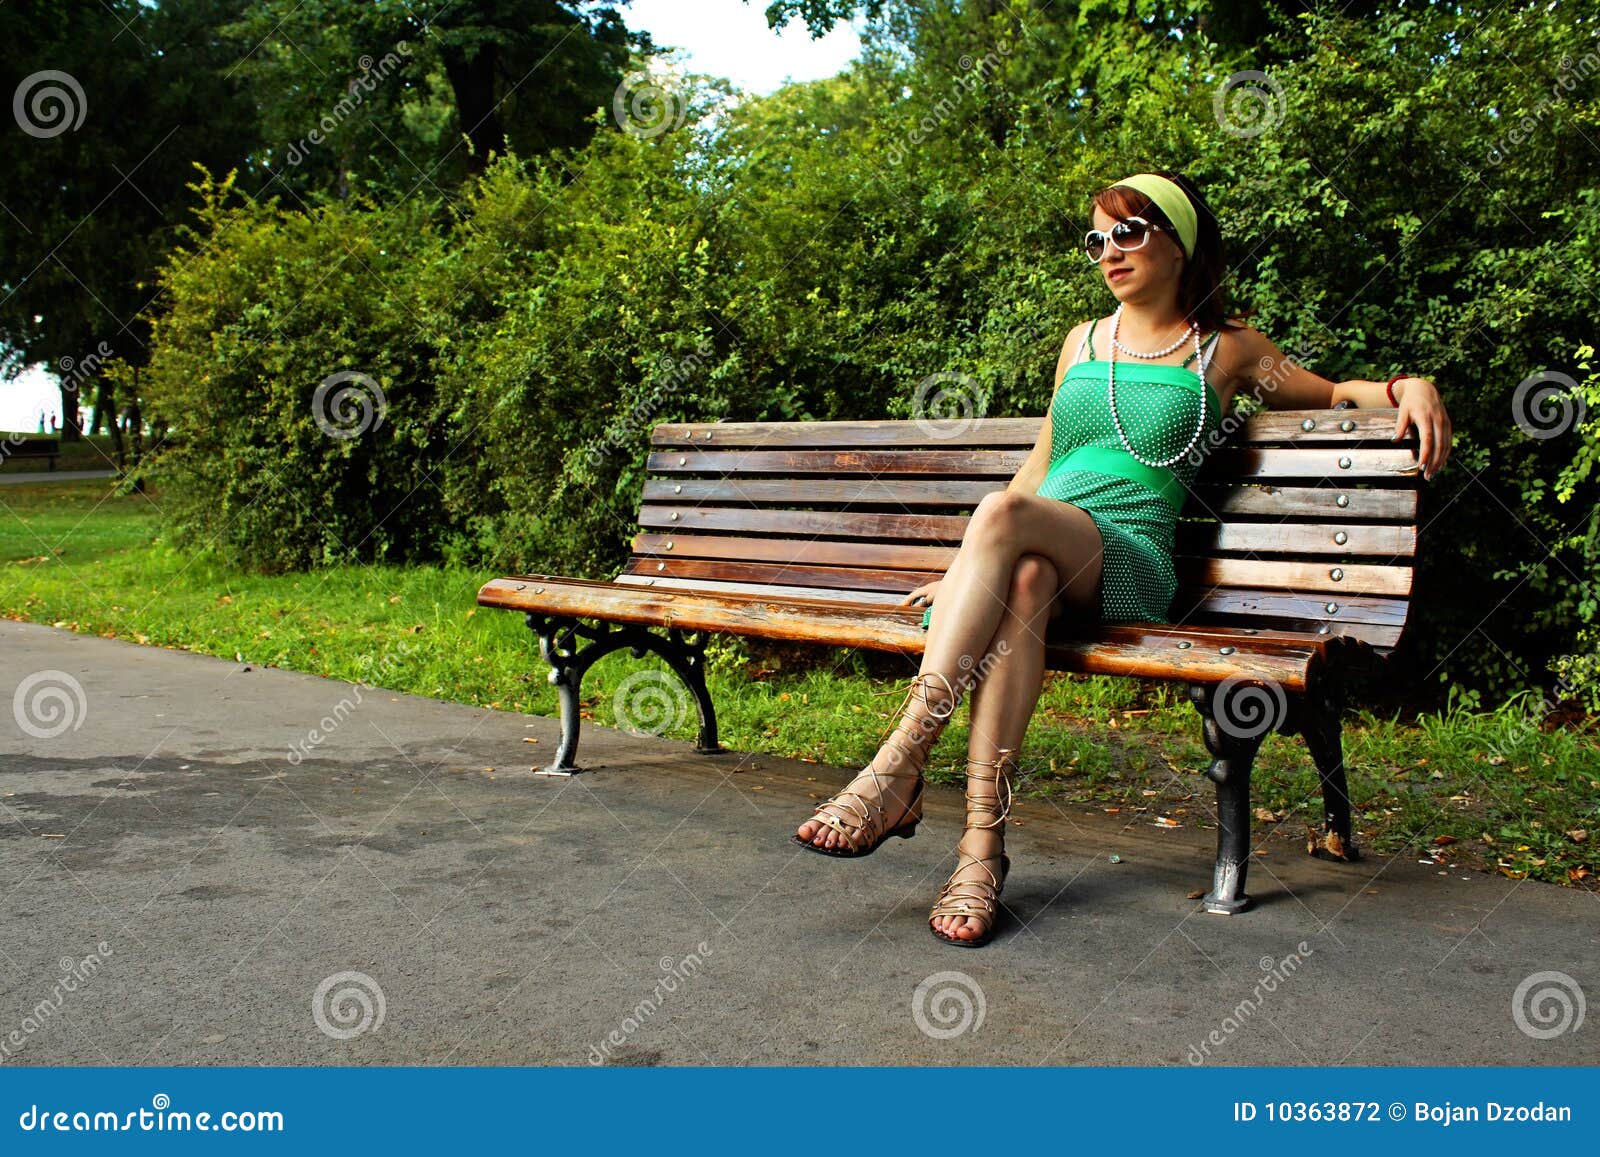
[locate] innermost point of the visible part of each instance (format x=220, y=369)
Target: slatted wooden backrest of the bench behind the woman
x=1300, y=521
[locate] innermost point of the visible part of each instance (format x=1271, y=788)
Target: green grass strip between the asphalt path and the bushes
x=1481, y=791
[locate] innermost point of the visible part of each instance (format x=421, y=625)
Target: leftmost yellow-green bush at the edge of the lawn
x=294, y=370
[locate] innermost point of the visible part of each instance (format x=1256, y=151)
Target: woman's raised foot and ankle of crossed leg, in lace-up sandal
x=886, y=793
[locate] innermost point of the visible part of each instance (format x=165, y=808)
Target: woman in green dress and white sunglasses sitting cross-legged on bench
x=1089, y=521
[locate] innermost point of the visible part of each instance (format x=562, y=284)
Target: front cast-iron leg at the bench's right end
x=1234, y=727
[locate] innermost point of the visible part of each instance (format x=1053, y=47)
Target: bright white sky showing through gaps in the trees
x=719, y=38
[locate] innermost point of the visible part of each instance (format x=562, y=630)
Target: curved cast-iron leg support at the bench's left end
x=558, y=646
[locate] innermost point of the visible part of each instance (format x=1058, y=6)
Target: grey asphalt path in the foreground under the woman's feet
x=410, y=865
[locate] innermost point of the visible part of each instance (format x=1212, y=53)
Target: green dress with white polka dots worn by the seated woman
x=1134, y=506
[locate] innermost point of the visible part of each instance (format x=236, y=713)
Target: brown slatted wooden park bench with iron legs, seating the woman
x=1294, y=561
